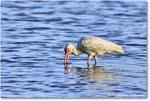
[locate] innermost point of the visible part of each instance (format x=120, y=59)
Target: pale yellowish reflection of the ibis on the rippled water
x=94, y=73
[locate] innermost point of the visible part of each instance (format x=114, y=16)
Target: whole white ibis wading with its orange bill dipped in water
x=92, y=46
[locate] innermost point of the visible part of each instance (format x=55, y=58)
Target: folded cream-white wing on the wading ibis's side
x=98, y=46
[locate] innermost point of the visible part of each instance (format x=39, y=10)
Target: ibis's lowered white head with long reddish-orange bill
x=68, y=50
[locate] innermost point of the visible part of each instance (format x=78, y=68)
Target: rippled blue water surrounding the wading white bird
x=34, y=34
